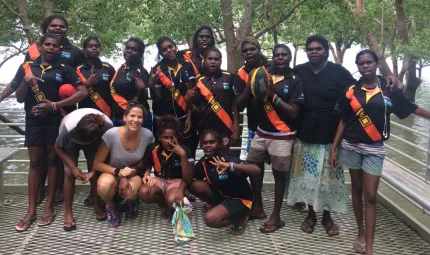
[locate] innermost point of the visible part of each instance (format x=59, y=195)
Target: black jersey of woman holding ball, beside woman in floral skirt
x=290, y=89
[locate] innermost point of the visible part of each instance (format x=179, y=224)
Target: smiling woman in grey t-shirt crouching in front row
x=119, y=159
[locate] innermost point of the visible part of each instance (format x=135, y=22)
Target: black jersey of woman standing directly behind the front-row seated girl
x=180, y=77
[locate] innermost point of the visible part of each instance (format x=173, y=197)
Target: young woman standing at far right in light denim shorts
x=365, y=111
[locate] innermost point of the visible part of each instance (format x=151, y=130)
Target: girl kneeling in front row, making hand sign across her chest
x=220, y=180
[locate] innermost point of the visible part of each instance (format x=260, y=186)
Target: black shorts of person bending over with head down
x=89, y=150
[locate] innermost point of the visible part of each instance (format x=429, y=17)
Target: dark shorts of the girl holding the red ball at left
x=40, y=135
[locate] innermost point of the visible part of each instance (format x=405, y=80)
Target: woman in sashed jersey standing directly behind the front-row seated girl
x=170, y=80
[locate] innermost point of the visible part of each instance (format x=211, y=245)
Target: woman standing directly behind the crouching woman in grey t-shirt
x=129, y=83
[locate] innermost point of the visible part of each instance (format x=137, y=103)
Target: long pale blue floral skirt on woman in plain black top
x=313, y=181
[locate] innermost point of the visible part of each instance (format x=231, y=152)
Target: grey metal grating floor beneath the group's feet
x=149, y=234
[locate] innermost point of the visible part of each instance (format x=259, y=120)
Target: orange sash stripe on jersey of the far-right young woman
x=364, y=119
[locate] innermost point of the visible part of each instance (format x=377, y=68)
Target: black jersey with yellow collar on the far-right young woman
x=375, y=104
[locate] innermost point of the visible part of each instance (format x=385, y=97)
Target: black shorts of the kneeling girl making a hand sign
x=236, y=209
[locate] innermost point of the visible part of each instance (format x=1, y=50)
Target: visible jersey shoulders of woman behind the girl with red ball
x=69, y=54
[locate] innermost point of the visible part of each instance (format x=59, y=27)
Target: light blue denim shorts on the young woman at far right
x=371, y=164
